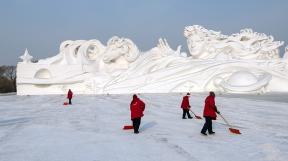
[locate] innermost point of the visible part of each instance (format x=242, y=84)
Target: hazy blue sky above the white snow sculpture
x=41, y=25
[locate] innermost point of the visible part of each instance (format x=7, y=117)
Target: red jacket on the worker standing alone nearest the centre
x=137, y=108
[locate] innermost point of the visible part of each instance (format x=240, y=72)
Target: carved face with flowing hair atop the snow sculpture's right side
x=207, y=44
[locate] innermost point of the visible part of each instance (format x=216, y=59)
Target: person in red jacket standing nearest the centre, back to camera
x=137, y=108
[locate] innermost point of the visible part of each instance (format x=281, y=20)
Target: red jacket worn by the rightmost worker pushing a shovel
x=210, y=108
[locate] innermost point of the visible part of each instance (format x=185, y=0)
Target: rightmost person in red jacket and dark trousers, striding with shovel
x=209, y=113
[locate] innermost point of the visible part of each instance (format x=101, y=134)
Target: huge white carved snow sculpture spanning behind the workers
x=246, y=62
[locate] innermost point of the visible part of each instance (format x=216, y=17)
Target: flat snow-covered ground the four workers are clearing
x=40, y=128
